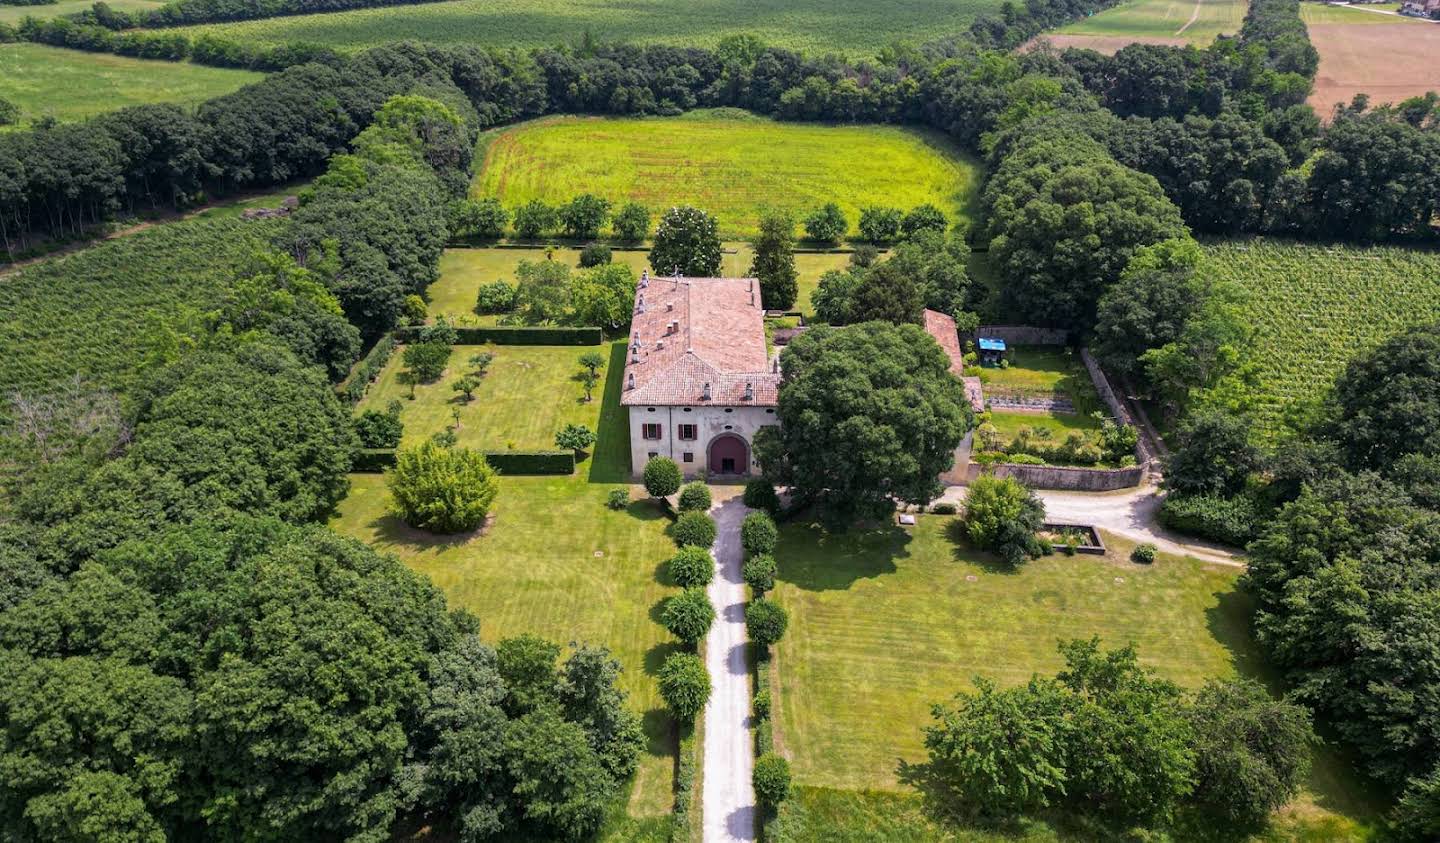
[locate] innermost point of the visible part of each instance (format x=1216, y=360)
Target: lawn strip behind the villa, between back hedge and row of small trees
x=464, y=272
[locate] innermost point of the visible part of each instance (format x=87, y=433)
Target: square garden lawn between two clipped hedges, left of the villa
x=522, y=403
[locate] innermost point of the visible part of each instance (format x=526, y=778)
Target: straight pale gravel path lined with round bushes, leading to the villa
x=728, y=795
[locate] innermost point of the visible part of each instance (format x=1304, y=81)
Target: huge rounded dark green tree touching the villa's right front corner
x=876, y=390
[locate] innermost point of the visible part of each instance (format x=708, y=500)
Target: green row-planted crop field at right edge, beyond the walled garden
x=1315, y=308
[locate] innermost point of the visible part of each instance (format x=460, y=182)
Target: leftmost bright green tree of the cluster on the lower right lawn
x=1000, y=753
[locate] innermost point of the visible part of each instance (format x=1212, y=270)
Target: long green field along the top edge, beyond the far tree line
x=820, y=27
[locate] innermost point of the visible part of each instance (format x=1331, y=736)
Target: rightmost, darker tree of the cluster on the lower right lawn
x=1252, y=753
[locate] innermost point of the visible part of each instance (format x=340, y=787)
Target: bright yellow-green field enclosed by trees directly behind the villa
x=729, y=164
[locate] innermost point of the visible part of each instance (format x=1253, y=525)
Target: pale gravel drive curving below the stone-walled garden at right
x=1131, y=514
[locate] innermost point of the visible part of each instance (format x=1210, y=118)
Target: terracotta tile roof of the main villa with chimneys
x=692, y=335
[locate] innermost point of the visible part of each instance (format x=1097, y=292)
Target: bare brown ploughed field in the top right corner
x=1389, y=61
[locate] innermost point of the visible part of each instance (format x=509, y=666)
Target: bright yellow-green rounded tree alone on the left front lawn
x=443, y=491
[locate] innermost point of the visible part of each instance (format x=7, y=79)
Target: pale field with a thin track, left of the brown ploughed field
x=1173, y=22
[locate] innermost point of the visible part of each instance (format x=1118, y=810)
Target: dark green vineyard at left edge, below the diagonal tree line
x=89, y=313
